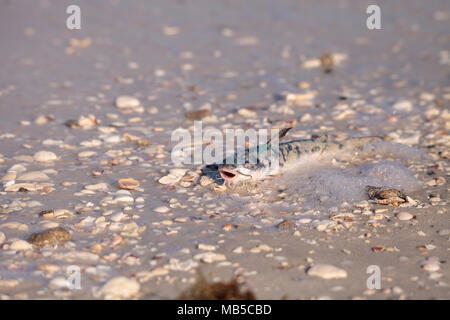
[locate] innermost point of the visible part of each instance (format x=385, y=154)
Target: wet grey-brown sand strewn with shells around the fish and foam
x=180, y=56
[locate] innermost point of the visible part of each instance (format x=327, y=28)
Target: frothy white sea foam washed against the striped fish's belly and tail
x=319, y=185
